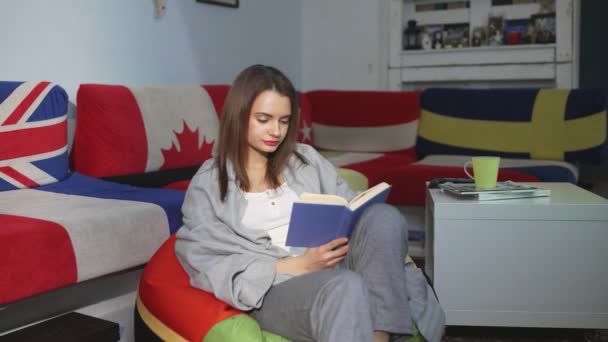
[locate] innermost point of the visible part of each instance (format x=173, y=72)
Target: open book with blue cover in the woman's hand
x=317, y=219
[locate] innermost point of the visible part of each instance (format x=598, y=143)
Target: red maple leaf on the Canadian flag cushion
x=189, y=151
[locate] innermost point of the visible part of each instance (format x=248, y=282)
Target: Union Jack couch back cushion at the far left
x=33, y=134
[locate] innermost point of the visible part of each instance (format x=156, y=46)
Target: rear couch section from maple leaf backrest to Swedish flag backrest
x=403, y=138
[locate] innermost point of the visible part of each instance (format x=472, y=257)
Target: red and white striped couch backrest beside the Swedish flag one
x=365, y=121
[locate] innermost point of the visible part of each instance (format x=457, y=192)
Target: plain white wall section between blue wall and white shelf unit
x=344, y=44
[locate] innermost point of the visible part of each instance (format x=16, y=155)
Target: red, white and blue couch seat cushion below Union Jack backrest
x=84, y=226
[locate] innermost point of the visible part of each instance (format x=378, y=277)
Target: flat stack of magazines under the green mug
x=503, y=190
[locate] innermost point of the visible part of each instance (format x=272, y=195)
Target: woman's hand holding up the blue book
x=315, y=259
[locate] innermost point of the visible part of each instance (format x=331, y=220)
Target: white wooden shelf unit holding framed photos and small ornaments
x=533, y=65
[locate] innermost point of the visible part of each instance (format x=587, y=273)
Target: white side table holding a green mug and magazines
x=537, y=262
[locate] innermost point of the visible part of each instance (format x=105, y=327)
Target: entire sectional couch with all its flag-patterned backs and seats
x=135, y=149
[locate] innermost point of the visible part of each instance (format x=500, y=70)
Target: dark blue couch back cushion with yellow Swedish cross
x=552, y=124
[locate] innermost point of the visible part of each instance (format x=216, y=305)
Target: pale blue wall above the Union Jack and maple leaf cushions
x=120, y=41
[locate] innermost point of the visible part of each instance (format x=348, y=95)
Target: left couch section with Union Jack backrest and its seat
x=60, y=228
